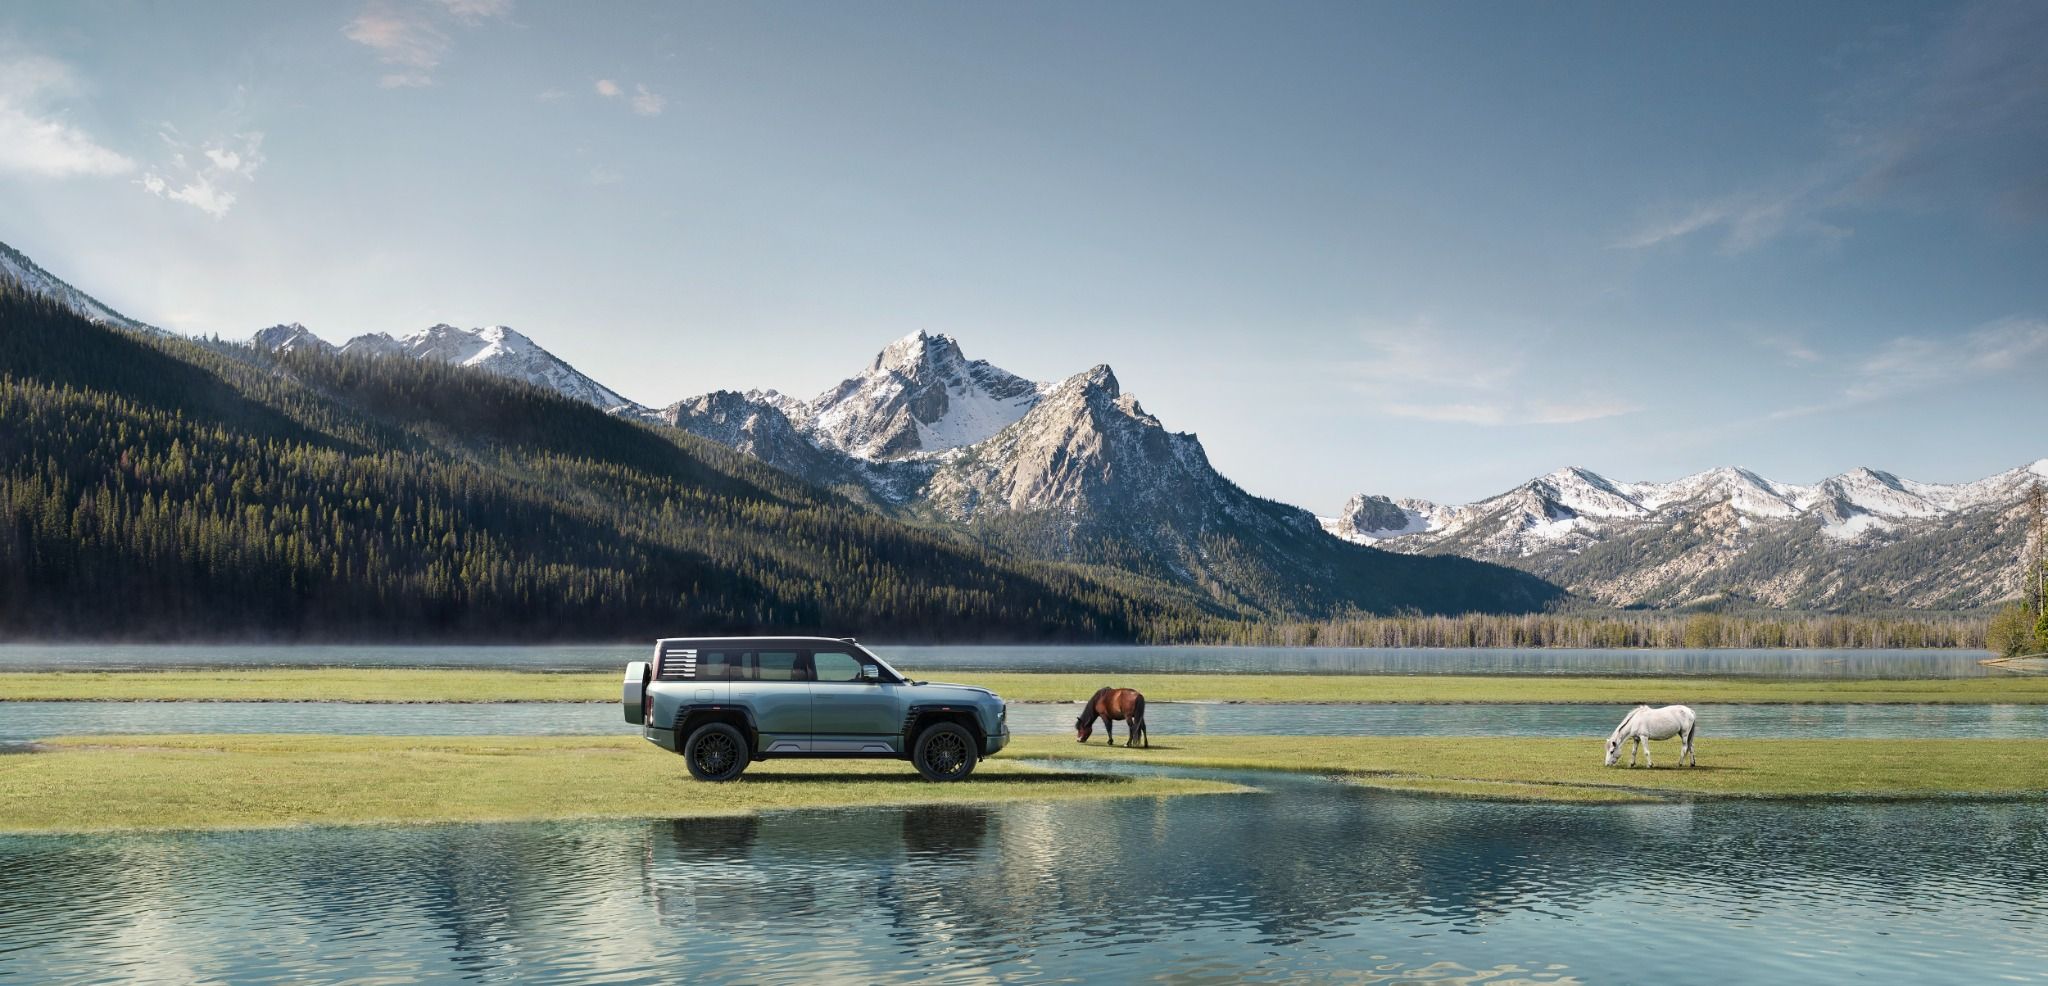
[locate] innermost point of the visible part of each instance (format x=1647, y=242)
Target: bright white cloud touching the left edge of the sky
x=36, y=140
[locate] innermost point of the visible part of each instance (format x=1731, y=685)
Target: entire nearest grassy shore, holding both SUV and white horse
x=255, y=782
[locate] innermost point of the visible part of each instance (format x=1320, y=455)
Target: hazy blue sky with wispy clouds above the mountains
x=1408, y=249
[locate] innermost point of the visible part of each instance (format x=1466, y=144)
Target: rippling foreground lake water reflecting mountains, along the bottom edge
x=1304, y=880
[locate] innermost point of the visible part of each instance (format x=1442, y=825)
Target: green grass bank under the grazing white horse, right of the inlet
x=1572, y=772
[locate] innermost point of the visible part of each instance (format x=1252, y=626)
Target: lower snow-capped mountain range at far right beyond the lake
x=1857, y=540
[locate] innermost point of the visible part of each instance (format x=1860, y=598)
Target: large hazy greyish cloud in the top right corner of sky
x=1959, y=122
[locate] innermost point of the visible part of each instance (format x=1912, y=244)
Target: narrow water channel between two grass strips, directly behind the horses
x=28, y=721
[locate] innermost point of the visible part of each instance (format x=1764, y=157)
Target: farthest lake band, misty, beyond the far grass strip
x=1080, y=659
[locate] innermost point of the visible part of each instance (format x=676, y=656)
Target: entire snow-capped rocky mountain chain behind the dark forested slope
x=1078, y=473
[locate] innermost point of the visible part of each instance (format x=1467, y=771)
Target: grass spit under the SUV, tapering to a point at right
x=110, y=784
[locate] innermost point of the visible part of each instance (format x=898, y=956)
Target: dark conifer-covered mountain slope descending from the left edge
x=159, y=487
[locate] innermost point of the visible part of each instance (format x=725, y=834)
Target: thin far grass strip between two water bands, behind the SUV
x=394, y=686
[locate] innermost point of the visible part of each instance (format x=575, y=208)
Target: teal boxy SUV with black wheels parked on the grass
x=728, y=702
